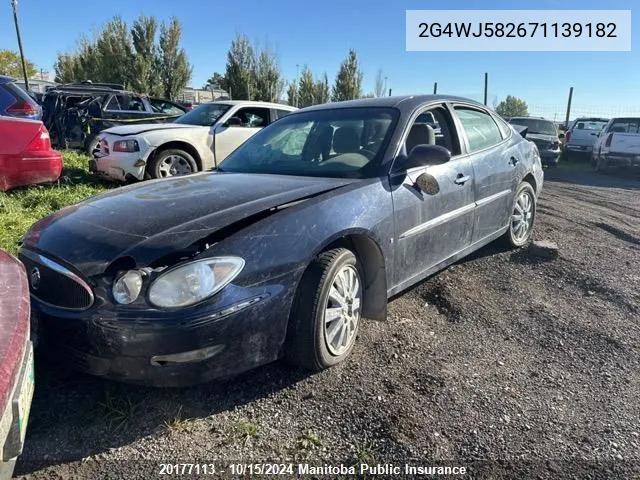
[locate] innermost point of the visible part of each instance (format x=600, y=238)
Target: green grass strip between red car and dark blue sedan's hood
x=21, y=208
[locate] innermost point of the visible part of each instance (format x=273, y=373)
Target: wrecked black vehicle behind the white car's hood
x=76, y=113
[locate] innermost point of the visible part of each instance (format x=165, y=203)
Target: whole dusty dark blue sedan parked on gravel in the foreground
x=301, y=232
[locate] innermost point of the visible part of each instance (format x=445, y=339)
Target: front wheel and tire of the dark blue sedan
x=313, y=339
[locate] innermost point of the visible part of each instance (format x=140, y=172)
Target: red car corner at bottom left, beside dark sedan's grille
x=16, y=361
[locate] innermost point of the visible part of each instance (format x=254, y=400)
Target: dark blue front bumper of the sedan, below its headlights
x=171, y=348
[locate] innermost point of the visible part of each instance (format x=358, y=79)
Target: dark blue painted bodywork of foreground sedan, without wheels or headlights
x=277, y=223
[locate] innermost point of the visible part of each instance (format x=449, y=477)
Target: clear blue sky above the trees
x=319, y=34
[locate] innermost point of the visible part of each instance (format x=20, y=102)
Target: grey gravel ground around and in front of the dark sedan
x=514, y=365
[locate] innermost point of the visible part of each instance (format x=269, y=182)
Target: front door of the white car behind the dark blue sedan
x=229, y=137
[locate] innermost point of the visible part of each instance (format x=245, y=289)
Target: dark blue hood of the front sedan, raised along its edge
x=151, y=219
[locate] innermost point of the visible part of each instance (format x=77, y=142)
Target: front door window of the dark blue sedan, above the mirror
x=433, y=127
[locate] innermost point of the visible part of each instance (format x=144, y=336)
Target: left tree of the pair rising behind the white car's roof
x=240, y=67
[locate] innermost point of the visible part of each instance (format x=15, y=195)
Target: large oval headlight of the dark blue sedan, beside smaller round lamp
x=193, y=282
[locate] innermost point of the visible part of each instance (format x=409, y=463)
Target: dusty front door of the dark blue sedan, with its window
x=431, y=227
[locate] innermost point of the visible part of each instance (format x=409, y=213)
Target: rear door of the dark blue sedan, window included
x=494, y=158
